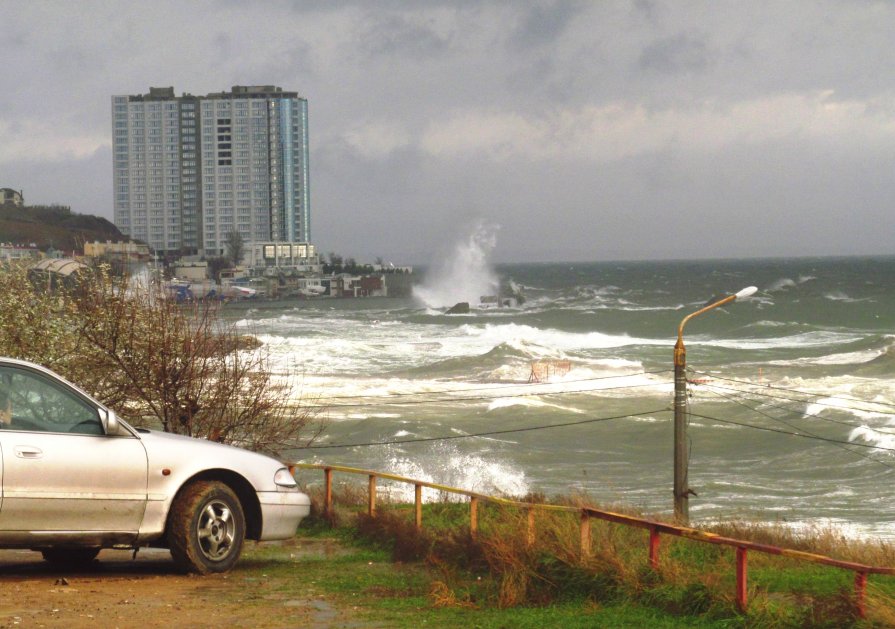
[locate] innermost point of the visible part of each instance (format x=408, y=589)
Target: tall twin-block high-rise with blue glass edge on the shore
x=189, y=170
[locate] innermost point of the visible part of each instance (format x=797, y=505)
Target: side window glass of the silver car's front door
x=30, y=401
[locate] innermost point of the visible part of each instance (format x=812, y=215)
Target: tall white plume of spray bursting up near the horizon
x=465, y=274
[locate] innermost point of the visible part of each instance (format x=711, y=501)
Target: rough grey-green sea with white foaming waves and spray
x=791, y=397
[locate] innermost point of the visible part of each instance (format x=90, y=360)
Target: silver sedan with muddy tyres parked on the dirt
x=76, y=479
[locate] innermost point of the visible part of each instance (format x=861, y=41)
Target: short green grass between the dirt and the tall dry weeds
x=386, y=594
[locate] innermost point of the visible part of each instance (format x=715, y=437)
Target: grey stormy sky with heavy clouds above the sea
x=579, y=130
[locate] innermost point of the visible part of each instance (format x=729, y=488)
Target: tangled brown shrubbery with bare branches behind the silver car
x=181, y=368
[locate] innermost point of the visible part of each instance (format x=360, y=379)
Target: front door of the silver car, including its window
x=61, y=472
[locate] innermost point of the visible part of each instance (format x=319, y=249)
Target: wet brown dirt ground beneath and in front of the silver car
x=119, y=591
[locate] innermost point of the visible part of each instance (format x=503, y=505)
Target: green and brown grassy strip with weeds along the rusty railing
x=442, y=577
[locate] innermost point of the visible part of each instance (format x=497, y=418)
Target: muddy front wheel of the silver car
x=206, y=528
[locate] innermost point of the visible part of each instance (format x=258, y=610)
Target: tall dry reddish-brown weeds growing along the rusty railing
x=502, y=568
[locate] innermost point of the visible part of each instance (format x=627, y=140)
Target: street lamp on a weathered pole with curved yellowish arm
x=681, y=490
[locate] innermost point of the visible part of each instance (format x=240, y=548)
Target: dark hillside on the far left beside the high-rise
x=53, y=225
